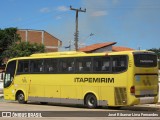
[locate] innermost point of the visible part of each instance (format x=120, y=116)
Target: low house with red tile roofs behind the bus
x=103, y=47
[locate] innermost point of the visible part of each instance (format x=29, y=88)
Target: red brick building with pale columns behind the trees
x=50, y=42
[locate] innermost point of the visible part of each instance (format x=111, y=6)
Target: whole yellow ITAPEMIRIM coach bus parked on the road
x=91, y=79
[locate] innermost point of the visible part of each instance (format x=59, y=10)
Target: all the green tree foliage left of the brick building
x=11, y=45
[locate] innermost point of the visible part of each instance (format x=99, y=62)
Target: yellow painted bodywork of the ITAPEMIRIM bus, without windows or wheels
x=114, y=92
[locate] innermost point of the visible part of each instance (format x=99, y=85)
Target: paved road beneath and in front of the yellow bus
x=13, y=107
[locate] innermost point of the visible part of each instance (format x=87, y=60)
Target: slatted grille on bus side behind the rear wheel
x=120, y=96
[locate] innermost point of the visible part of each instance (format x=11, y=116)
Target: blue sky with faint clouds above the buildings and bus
x=130, y=23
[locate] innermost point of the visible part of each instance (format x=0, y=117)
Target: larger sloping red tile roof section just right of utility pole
x=96, y=46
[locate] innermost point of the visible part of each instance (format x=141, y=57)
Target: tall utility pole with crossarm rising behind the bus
x=76, y=32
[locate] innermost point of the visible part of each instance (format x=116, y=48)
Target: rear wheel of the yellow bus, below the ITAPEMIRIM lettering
x=91, y=101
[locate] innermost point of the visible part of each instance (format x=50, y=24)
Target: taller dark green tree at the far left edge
x=7, y=37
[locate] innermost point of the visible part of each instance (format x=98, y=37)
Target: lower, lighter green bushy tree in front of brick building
x=22, y=49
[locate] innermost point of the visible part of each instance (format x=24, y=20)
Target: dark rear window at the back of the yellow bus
x=145, y=60
